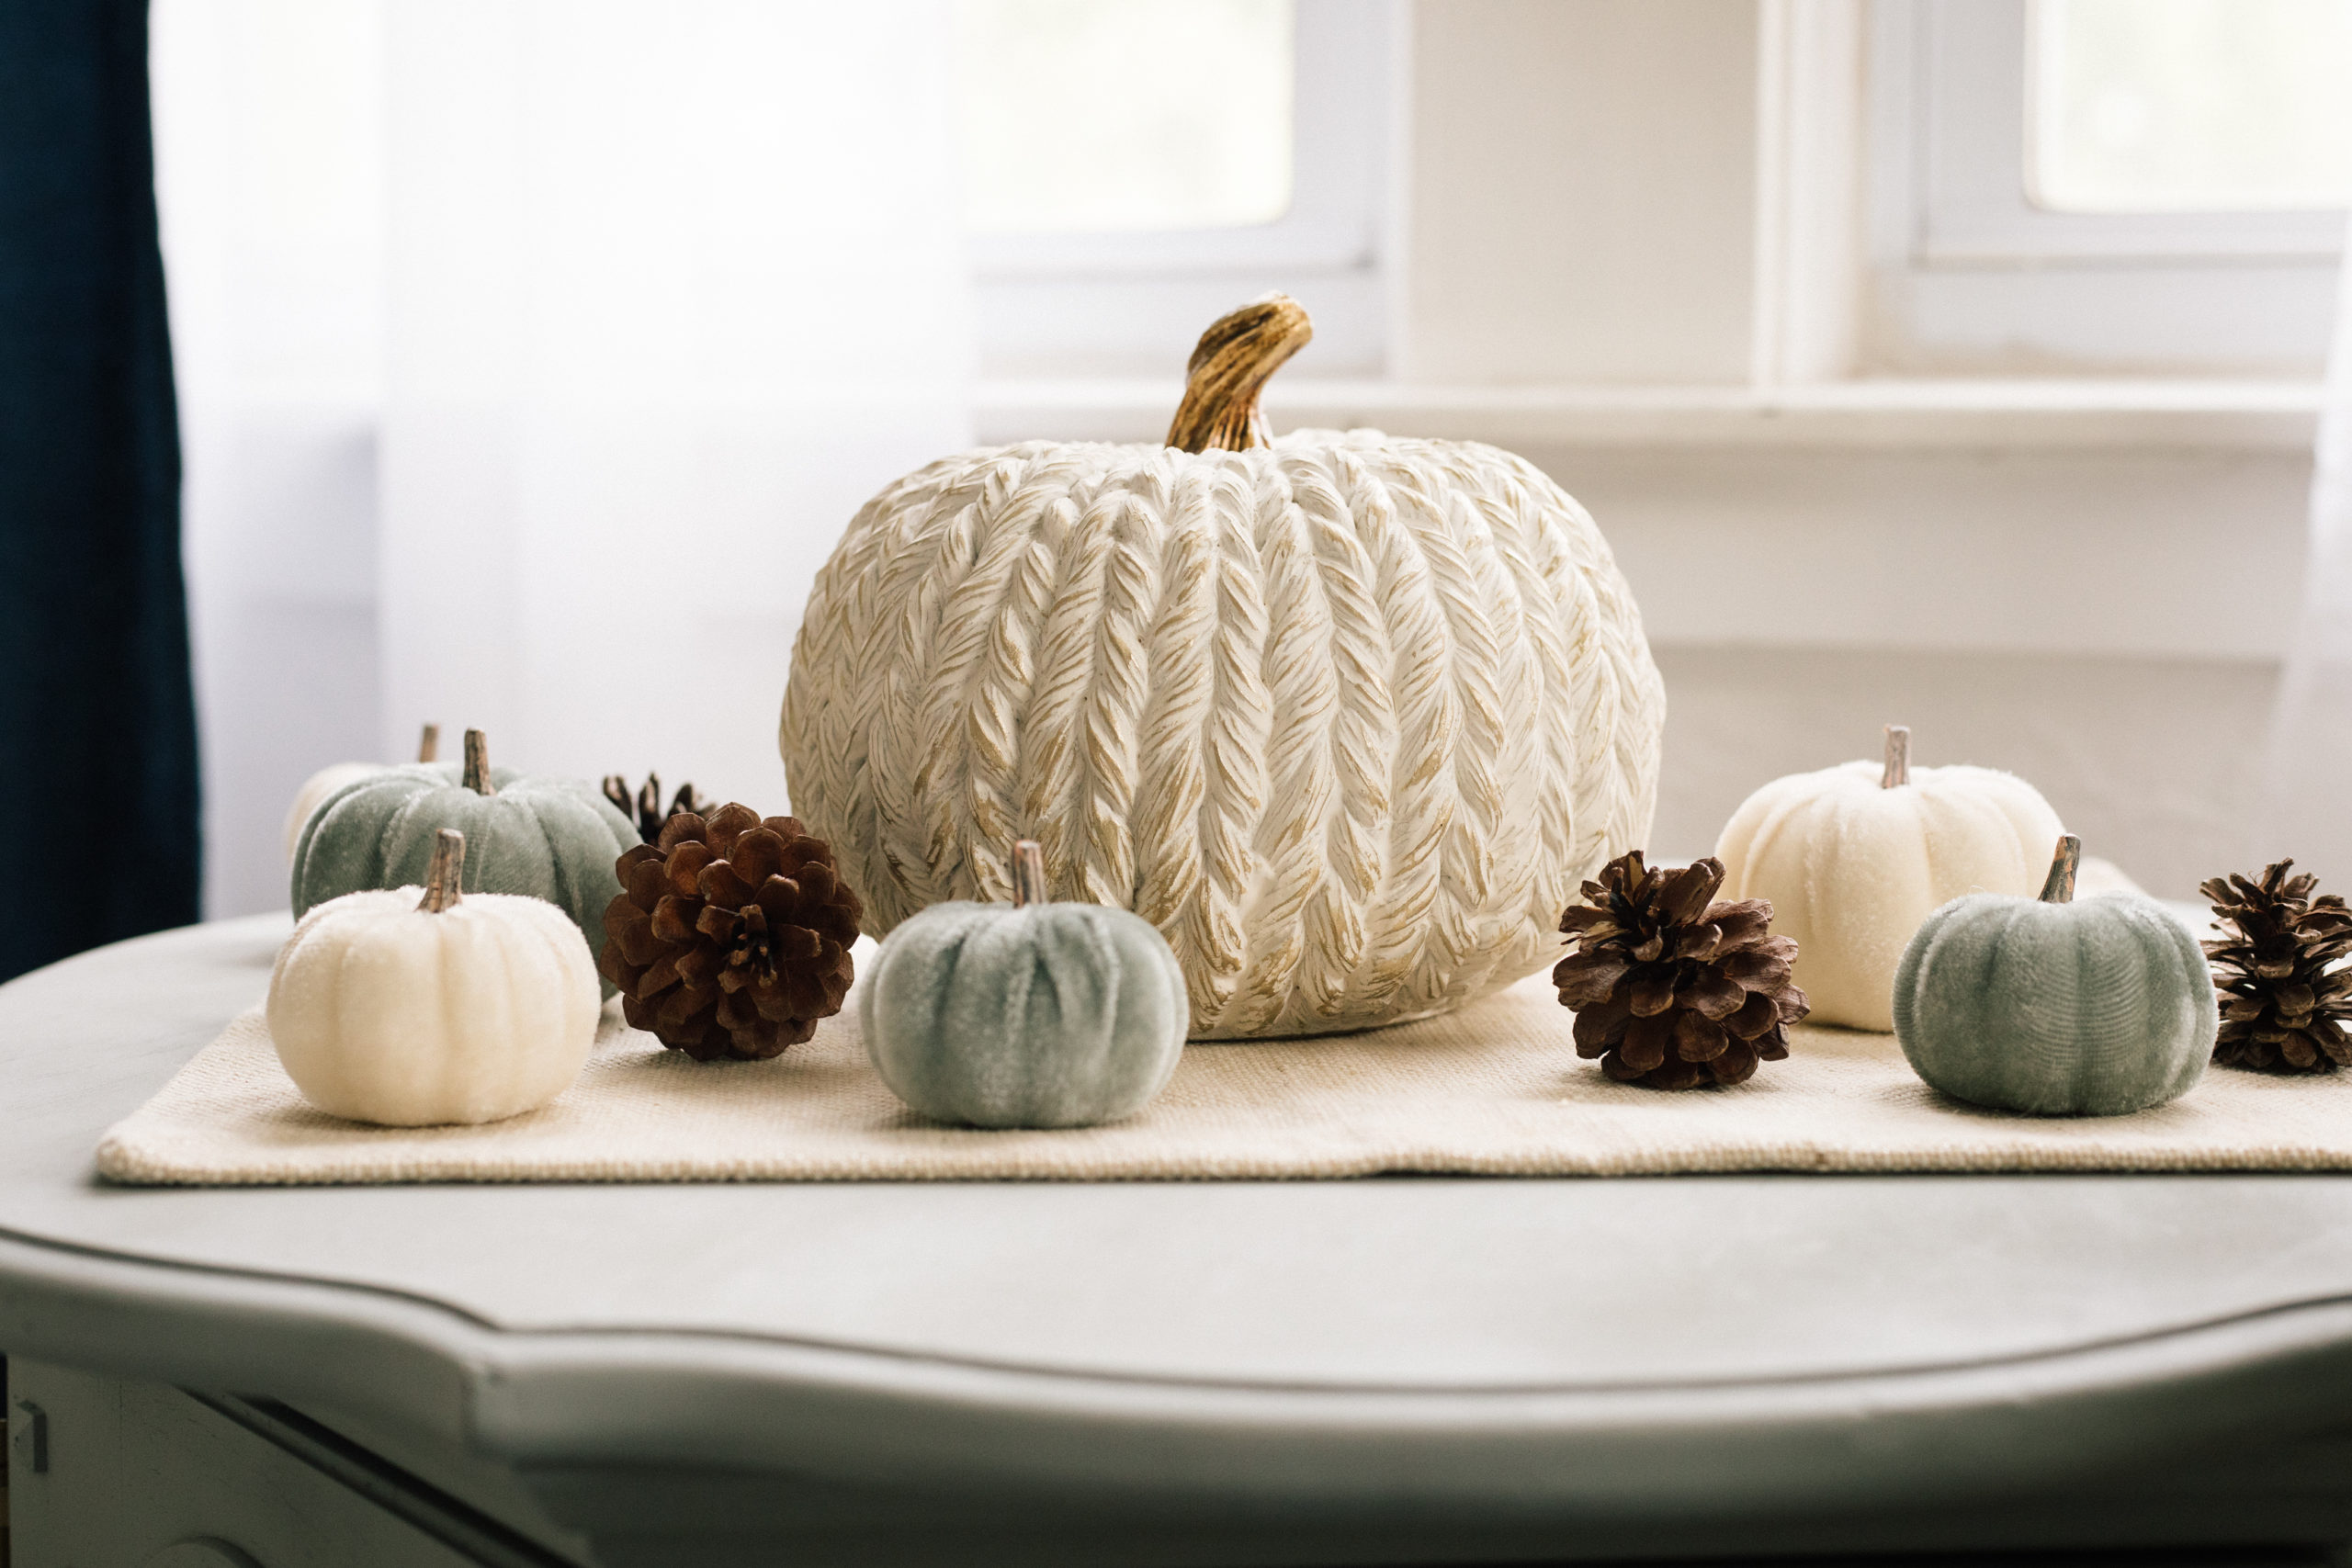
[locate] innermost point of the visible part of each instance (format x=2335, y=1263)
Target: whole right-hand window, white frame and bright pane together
x=2017, y=170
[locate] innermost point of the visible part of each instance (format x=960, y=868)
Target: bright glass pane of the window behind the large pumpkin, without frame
x=1125, y=114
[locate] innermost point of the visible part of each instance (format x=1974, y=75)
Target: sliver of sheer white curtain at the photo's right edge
x=2308, y=789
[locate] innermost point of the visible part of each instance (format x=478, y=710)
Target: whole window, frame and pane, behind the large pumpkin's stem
x=1137, y=168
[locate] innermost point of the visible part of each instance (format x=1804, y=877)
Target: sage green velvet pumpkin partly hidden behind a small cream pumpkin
x=544, y=838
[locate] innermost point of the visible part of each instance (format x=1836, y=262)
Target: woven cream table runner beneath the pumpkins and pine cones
x=1495, y=1090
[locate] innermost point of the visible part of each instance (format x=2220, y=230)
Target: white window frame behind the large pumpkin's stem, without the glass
x=1118, y=304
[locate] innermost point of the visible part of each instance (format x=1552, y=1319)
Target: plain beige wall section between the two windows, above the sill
x=1582, y=192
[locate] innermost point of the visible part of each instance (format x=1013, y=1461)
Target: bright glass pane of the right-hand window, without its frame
x=2191, y=105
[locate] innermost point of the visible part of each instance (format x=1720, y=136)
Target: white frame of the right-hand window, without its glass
x=1967, y=272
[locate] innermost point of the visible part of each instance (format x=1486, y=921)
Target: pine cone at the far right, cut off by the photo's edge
x=2283, y=998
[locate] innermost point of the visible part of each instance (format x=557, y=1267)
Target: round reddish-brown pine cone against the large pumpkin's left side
x=730, y=934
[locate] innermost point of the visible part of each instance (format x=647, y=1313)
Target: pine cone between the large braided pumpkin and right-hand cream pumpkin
x=1671, y=989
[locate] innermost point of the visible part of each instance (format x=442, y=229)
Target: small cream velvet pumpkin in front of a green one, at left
x=415, y=1007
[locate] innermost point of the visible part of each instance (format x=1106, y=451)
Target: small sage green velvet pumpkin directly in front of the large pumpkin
x=1038, y=1014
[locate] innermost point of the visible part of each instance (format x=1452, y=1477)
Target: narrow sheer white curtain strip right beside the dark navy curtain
x=269, y=149
